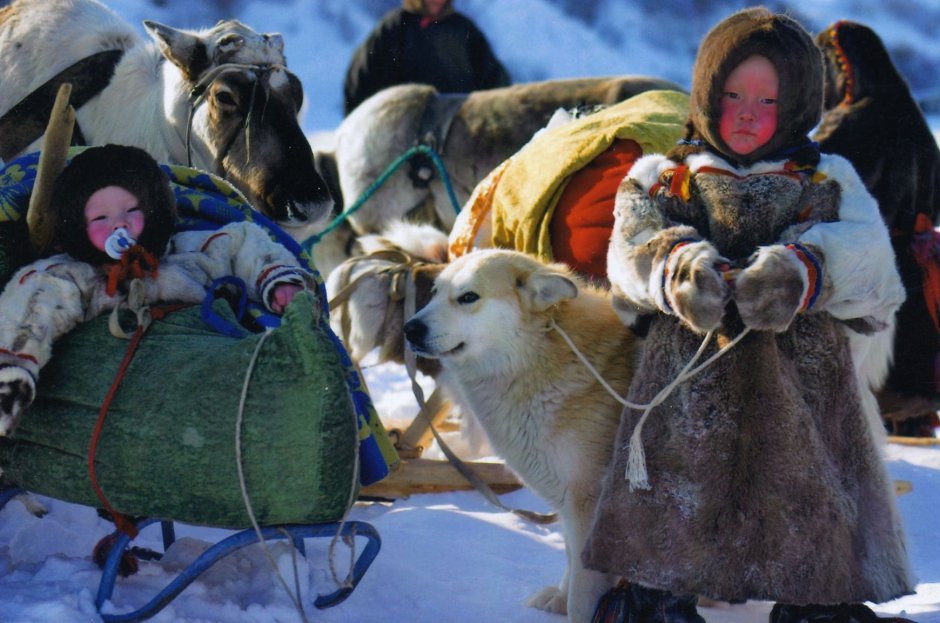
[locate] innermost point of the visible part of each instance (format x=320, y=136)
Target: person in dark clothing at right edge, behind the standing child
x=871, y=119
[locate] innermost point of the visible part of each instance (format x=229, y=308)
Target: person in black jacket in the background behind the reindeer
x=427, y=42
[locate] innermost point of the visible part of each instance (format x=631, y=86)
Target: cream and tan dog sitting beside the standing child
x=491, y=324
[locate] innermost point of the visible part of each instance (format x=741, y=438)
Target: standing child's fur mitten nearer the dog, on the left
x=694, y=289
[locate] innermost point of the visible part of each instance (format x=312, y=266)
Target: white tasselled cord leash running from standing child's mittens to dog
x=636, y=473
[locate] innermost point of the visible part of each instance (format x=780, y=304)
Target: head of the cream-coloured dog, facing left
x=484, y=305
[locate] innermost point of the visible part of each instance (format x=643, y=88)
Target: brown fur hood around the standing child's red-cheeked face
x=799, y=64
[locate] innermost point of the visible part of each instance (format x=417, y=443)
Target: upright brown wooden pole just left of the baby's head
x=55, y=148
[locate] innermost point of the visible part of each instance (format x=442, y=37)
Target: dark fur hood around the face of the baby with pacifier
x=128, y=167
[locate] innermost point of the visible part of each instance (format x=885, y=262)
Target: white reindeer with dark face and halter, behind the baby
x=224, y=103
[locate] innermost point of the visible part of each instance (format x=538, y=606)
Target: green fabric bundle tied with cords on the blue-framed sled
x=167, y=448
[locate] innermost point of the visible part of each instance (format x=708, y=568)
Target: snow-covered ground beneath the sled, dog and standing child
x=445, y=557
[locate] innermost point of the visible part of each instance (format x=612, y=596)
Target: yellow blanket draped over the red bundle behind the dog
x=531, y=182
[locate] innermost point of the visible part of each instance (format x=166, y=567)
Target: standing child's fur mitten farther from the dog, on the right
x=772, y=289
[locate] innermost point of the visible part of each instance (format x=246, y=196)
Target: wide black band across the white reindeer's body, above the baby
x=26, y=122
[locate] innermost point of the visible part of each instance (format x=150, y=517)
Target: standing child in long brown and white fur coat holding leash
x=764, y=479
